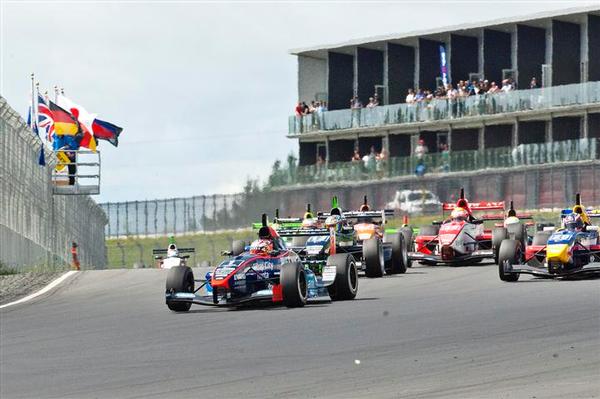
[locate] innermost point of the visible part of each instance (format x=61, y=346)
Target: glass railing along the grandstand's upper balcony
x=442, y=109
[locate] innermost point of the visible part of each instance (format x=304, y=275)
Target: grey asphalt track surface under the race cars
x=432, y=333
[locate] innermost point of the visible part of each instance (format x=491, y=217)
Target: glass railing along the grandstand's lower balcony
x=455, y=161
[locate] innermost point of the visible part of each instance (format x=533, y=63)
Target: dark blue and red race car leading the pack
x=266, y=271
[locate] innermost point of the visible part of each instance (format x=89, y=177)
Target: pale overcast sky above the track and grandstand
x=203, y=90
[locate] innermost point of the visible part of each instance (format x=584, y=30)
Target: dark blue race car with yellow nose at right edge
x=572, y=250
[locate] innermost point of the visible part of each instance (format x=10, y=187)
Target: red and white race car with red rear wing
x=460, y=239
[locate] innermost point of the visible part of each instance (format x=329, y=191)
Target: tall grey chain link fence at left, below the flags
x=37, y=227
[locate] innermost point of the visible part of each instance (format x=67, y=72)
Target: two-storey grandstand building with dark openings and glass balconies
x=559, y=121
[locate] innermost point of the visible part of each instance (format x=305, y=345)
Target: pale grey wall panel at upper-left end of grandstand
x=312, y=78
